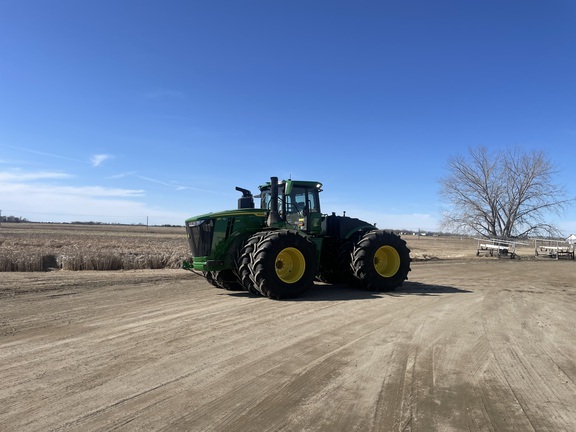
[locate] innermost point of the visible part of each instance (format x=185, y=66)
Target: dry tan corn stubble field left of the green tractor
x=30, y=247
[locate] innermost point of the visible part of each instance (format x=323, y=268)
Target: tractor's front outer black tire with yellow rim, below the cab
x=283, y=264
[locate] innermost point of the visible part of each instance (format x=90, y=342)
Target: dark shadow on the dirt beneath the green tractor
x=339, y=292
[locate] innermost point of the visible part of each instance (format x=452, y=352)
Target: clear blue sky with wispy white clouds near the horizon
x=119, y=111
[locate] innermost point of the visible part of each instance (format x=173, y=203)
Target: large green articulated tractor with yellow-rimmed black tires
x=280, y=248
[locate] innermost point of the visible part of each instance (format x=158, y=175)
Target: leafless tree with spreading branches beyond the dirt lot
x=506, y=194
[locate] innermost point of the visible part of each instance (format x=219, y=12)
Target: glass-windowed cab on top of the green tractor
x=297, y=203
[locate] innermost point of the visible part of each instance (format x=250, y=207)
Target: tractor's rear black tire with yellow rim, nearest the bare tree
x=380, y=261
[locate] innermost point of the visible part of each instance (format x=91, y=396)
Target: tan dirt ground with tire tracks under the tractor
x=464, y=345
